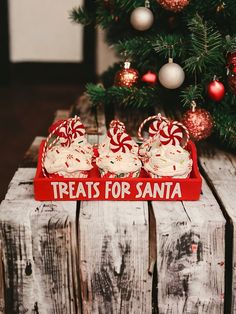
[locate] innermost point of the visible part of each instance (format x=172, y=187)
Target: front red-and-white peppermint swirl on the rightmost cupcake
x=171, y=134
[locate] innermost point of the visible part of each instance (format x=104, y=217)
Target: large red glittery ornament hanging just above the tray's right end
x=199, y=122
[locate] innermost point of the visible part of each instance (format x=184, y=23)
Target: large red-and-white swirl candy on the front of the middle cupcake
x=121, y=142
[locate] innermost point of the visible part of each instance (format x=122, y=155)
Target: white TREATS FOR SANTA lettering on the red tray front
x=86, y=190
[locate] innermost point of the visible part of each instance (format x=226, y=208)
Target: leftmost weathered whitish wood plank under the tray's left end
x=40, y=251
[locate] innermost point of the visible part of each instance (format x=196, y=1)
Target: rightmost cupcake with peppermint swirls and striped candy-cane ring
x=162, y=153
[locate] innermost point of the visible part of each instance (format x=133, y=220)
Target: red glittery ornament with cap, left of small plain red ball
x=126, y=77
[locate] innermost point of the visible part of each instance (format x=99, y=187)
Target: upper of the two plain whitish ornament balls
x=141, y=18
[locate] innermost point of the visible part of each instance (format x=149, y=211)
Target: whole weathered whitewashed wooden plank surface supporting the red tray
x=120, y=257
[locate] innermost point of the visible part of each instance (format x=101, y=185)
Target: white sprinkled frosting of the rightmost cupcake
x=168, y=160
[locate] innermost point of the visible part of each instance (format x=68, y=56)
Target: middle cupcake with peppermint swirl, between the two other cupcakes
x=117, y=157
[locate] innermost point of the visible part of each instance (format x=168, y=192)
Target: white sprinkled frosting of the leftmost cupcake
x=67, y=161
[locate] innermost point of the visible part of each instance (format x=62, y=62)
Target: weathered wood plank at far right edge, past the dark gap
x=219, y=168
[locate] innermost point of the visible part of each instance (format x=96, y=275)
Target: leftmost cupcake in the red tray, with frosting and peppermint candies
x=67, y=152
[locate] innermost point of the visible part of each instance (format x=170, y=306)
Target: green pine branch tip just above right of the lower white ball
x=205, y=46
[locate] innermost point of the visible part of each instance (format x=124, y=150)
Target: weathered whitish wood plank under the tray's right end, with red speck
x=190, y=255
